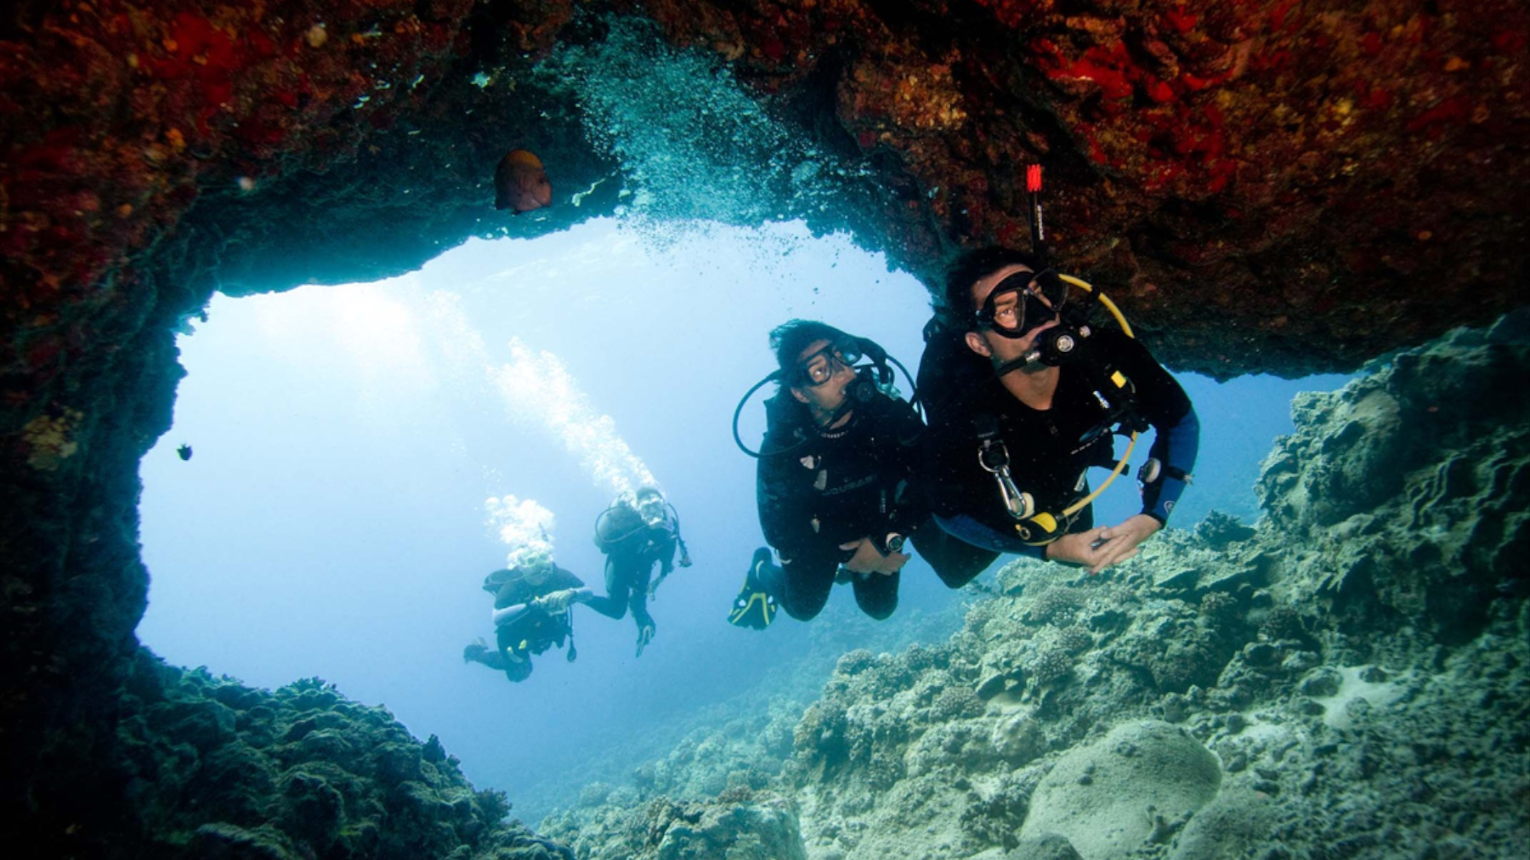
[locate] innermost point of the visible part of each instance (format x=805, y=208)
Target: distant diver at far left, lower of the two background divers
x=532, y=614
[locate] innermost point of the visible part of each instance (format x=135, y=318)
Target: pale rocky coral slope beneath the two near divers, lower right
x=1324, y=714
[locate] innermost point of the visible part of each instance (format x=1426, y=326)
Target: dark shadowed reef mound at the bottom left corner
x=220, y=769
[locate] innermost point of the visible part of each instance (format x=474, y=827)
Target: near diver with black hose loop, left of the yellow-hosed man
x=835, y=481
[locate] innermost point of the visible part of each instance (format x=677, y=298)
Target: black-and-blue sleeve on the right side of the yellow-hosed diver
x=1173, y=417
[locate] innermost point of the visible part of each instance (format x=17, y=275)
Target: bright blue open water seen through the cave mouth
x=333, y=520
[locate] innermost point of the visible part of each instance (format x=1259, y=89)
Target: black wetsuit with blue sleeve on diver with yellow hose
x=1049, y=451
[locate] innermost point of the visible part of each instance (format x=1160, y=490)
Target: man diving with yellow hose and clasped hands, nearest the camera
x=1029, y=399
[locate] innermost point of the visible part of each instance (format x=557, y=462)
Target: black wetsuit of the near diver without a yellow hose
x=819, y=489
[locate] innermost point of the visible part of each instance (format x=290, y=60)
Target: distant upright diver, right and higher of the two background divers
x=636, y=533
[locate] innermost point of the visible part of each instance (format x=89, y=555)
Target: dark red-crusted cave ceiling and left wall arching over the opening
x=1263, y=186
